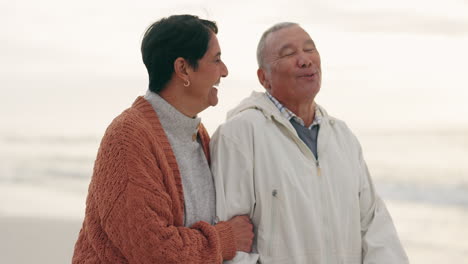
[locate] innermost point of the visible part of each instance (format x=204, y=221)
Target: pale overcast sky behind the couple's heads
x=376, y=55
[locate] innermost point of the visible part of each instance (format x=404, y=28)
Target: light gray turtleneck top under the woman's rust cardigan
x=197, y=180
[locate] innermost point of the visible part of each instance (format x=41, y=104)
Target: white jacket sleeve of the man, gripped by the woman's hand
x=232, y=167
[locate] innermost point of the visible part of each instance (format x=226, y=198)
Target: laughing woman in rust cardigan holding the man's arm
x=151, y=198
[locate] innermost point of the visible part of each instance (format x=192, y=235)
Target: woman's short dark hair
x=166, y=40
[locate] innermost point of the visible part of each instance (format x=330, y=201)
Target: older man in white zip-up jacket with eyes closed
x=297, y=171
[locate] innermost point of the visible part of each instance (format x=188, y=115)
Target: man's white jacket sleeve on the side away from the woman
x=380, y=242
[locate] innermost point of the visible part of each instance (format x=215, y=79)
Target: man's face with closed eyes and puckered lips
x=291, y=71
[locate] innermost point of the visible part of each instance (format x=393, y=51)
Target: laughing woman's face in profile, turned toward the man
x=208, y=74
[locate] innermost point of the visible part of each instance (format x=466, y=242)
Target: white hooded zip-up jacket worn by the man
x=304, y=210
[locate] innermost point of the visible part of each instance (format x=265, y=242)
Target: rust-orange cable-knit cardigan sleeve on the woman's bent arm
x=141, y=222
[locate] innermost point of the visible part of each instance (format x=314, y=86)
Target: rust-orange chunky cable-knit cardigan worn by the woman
x=135, y=204
